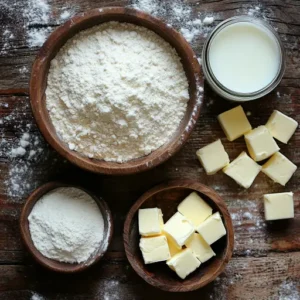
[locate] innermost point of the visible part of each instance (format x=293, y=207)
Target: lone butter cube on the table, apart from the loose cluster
x=279, y=206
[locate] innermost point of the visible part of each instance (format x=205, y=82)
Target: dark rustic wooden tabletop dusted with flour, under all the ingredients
x=266, y=261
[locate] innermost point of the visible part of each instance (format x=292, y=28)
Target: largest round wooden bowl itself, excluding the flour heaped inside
x=86, y=20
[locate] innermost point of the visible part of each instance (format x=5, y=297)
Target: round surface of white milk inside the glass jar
x=244, y=57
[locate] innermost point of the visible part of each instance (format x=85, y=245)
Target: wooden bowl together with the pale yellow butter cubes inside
x=179, y=236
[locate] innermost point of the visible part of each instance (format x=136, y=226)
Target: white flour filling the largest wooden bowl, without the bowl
x=116, y=92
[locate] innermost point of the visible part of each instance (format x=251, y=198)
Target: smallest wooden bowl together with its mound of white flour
x=66, y=228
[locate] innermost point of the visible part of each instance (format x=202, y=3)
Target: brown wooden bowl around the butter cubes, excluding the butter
x=167, y=197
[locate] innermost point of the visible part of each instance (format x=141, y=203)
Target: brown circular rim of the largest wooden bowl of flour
x=100, y=166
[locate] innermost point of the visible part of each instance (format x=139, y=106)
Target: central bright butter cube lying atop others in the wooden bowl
x=179, y=228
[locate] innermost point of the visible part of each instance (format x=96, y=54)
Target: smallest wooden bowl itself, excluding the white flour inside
x=53, y=264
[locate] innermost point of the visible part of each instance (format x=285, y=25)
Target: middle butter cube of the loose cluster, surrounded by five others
x=260, y=143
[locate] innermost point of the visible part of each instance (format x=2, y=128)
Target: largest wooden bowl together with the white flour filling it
x=116, y=91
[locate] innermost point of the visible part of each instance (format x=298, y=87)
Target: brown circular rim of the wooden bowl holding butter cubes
x=222, y=208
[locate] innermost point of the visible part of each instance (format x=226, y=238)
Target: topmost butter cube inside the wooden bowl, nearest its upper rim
x=194, y=208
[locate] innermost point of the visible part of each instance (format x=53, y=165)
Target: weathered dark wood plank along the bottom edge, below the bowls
x=244, y=278
